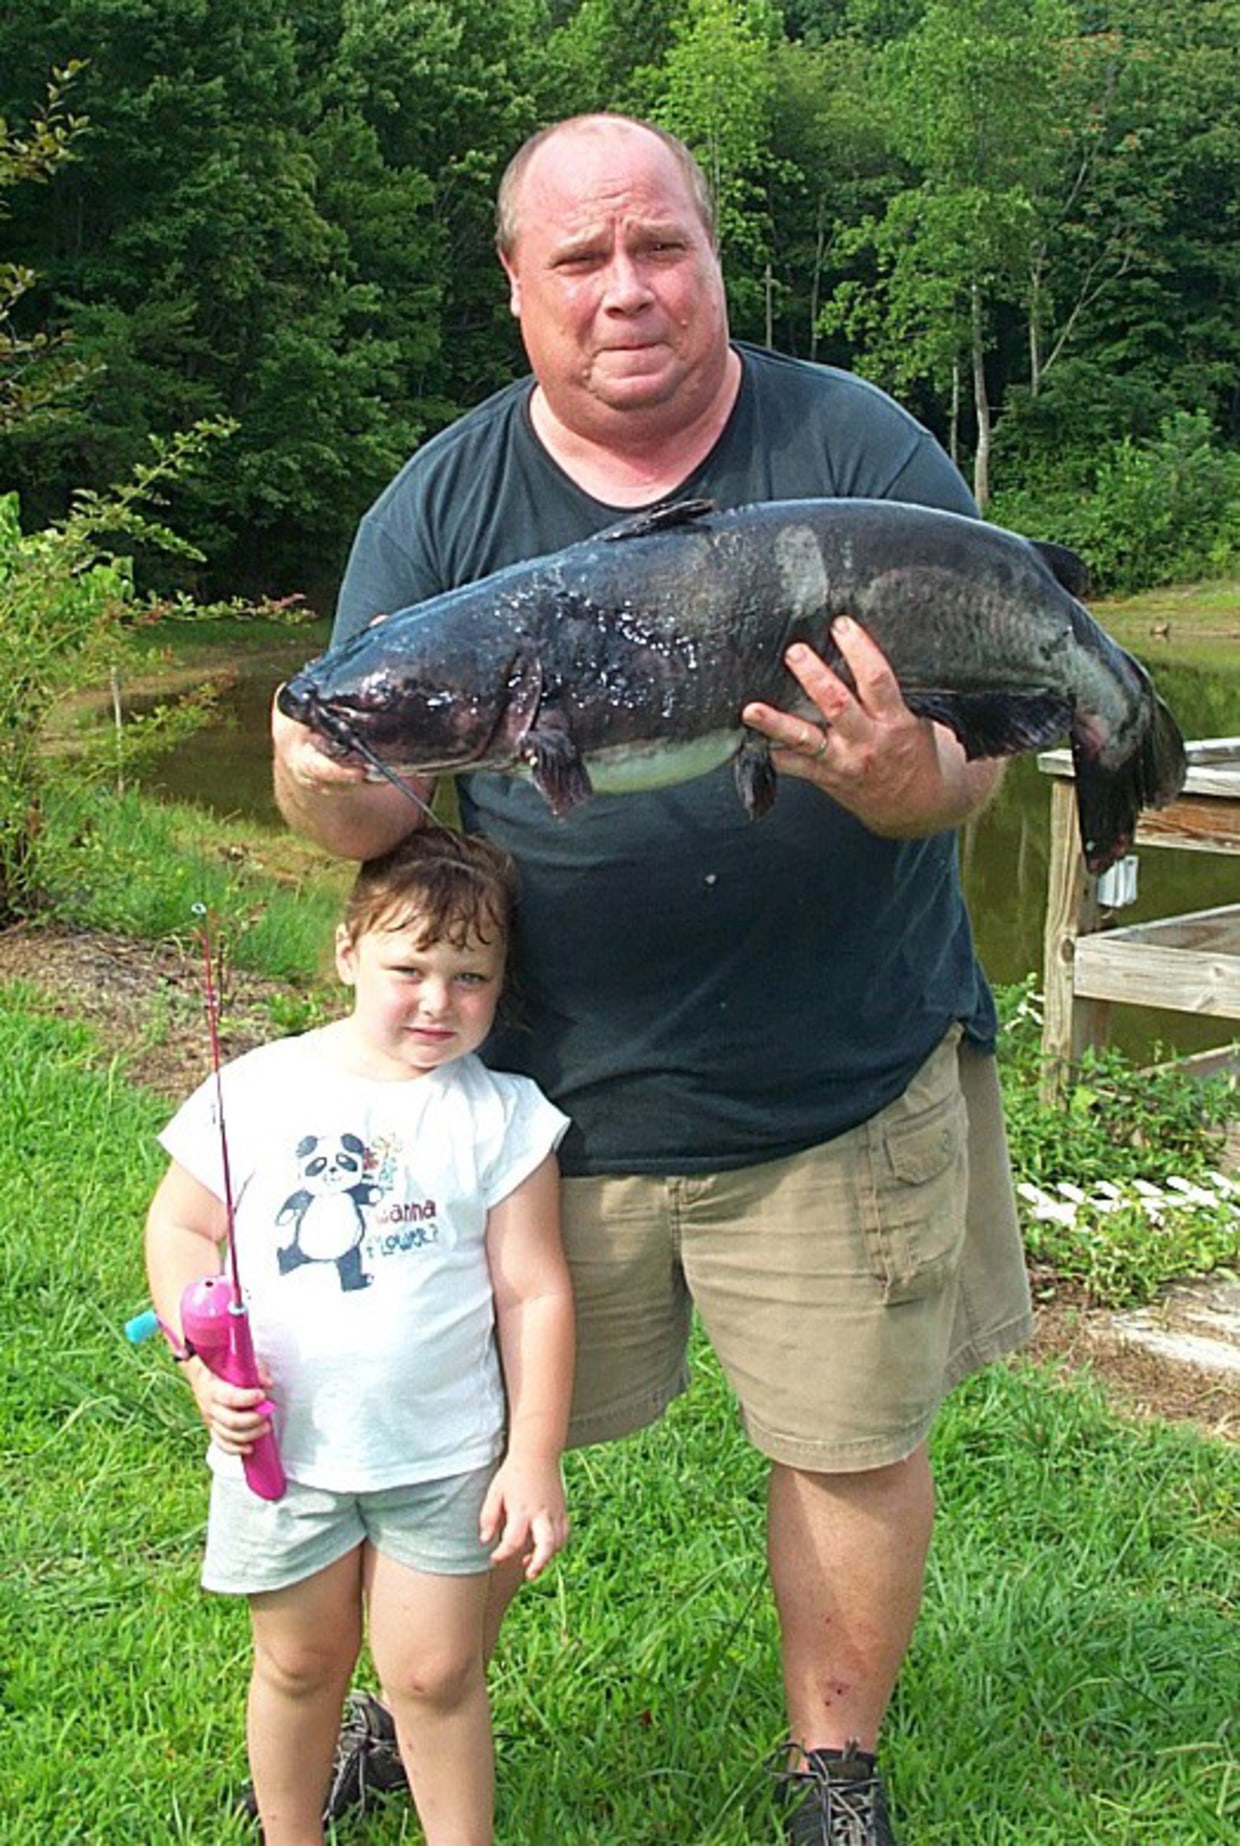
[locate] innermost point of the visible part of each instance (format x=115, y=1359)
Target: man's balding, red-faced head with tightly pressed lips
x=615, y=283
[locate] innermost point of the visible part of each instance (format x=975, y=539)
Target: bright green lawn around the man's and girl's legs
x=1075, y=1677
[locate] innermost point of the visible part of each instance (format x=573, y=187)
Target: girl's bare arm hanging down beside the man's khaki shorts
x=525, y=1511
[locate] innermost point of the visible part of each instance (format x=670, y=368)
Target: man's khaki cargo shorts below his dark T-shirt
x=844, y=1289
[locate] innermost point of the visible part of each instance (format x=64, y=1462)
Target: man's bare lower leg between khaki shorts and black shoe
x=848, y=1561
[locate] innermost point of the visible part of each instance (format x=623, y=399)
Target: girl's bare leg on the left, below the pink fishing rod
x=305, y=1648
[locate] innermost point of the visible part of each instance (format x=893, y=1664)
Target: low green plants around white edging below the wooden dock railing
x=1123, y=1129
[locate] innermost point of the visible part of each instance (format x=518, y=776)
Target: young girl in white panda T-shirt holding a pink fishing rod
x=396, y=1217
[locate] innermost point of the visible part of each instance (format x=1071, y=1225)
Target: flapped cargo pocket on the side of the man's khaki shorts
x=920, y=1171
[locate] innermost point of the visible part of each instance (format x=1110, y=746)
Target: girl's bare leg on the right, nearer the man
x=427, y=1646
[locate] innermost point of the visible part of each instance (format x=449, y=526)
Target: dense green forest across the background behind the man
x=1018, y=215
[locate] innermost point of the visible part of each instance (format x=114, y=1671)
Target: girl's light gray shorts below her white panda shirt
x=256, y=1544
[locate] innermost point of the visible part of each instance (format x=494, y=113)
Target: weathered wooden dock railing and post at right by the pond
x=1186, y=963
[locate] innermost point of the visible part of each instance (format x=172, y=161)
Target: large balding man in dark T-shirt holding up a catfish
x=759, y=1031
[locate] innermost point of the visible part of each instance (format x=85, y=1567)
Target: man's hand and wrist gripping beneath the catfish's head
x=333, y=802
